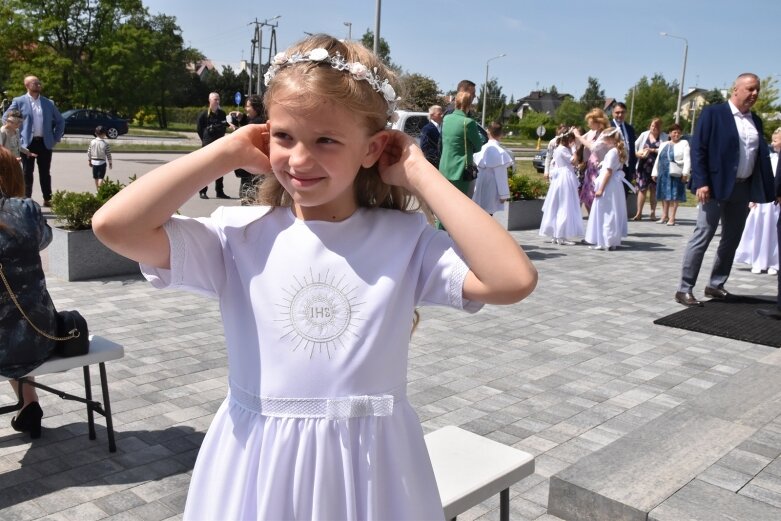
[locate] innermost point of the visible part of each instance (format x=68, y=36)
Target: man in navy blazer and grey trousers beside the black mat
x=730, y=168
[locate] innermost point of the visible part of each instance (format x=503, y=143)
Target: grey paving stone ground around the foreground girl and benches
x=574, y=367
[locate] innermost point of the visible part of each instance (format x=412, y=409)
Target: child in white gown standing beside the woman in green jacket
x=492, y=188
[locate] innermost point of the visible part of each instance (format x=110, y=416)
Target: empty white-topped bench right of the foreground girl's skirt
x=470, y=468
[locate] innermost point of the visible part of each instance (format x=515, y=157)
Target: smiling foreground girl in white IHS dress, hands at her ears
x=318, y=290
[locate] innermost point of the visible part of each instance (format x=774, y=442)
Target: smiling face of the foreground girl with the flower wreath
x=316, y=156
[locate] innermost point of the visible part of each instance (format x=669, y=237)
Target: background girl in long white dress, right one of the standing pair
x=607, y=222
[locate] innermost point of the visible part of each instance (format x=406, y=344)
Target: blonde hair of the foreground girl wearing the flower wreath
x=305, y=85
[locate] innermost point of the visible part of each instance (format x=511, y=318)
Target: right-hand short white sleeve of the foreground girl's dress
x=442, y=273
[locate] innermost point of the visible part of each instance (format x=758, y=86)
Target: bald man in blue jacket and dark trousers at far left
x=42, y=128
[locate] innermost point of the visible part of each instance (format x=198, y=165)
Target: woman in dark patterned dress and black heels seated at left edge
x=23, y=233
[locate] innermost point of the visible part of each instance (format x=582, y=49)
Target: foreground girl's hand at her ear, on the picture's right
x=401, y=160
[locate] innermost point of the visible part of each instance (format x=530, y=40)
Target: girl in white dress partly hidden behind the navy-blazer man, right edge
x=759, y=244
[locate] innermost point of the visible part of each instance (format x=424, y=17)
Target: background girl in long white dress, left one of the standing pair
x=561, y=217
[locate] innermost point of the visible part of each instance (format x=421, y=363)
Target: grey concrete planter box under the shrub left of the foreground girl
x=79, y=255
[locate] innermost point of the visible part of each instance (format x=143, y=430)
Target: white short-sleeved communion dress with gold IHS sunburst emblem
x=318, y=317
